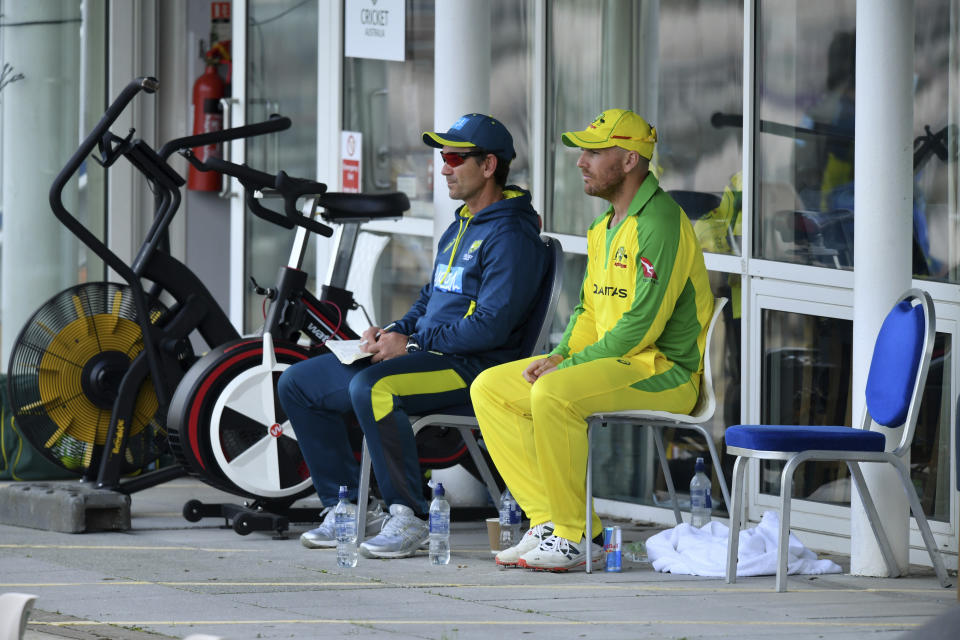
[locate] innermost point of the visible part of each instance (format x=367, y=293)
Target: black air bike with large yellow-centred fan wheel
x=93, y=371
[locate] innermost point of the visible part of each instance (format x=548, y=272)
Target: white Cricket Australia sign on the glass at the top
x=374, y=29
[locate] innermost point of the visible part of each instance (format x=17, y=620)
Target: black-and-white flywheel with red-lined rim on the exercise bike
x=227, y=427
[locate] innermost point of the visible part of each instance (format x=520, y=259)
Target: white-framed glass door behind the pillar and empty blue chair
x=800, y=344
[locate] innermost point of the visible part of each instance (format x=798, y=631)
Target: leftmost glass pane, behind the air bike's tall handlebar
x=52, y=93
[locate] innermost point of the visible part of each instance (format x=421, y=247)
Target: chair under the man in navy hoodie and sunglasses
x=461, y=417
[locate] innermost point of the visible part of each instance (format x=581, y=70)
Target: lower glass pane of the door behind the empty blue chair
x=806, y=380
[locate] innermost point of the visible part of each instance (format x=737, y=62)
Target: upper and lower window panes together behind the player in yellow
x=652, y=60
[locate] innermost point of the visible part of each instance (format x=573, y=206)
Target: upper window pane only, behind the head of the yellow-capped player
x=628, y=54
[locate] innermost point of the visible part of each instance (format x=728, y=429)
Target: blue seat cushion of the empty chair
x=763, y=437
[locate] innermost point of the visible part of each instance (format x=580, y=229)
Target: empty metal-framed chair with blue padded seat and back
x=898, y=371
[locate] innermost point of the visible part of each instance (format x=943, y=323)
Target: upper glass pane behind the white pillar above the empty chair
x=805, y=147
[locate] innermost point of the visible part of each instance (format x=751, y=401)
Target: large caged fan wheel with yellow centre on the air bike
x=64, y=374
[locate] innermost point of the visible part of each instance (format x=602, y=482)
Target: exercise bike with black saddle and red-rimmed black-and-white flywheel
x=225, y=424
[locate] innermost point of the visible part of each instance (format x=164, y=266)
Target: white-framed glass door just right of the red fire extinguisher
x=275, y=71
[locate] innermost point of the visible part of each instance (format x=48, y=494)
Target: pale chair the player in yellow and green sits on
x=659, y=420
